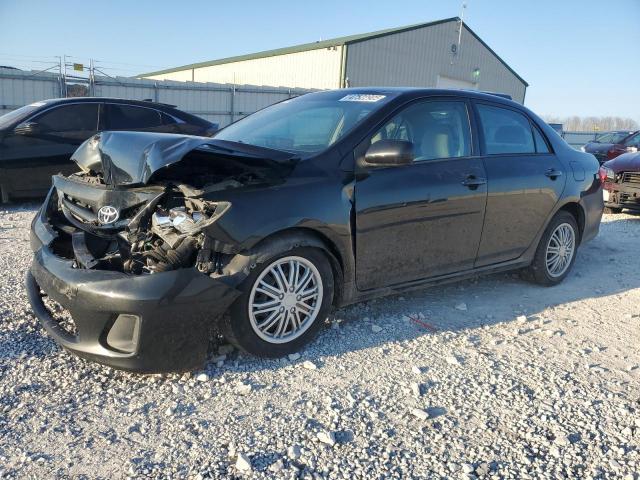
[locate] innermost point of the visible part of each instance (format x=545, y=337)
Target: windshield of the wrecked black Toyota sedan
x=305, y=125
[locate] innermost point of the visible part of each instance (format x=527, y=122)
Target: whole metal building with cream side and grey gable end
x=445, y=53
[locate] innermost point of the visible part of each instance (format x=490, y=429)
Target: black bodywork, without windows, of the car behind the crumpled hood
x=27, y=162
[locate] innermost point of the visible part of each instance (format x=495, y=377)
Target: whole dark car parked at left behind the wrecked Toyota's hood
x=37, y=140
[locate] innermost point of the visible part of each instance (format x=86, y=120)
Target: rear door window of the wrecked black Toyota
x=505, y=131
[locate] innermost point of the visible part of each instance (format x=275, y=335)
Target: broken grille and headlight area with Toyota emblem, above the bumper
x=135, y=231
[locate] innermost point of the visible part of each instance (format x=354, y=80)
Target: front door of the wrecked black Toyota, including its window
x=425, y=219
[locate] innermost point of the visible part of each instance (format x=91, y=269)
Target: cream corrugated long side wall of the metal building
x=319, y=69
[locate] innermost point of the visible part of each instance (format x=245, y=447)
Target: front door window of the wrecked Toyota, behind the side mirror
x=437, y=129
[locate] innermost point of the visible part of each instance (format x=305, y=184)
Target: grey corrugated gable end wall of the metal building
x=415, y=58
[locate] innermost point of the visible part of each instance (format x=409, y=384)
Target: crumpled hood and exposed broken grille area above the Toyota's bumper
x=149, y=215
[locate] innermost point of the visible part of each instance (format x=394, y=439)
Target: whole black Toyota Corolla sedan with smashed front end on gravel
x=316, y=202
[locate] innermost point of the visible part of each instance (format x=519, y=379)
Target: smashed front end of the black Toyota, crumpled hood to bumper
x=132, y=249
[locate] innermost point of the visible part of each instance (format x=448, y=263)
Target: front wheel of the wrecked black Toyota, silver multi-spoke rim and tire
x=273, y=330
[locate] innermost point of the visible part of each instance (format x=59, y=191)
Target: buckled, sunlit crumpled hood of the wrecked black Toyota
x=126, y=158
